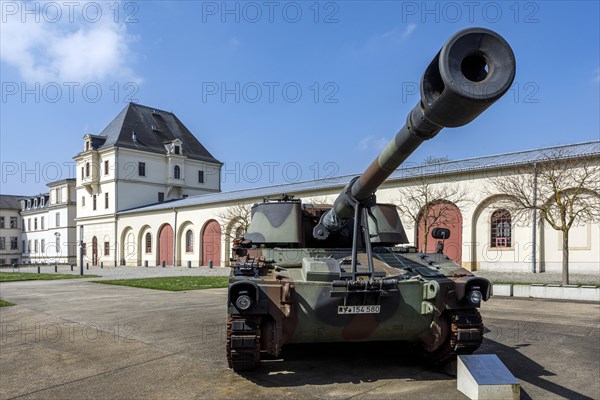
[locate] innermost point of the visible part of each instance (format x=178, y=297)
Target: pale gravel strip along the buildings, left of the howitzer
x=128, y=272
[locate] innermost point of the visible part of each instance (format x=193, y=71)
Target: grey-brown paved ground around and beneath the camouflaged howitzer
x=79, y=340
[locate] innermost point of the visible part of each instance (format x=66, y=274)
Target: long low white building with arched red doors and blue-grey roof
x=146, y=233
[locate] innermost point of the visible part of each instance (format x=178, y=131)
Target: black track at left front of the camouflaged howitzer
x=243, y=342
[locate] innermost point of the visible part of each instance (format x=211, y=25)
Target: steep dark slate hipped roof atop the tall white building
x=153, y=128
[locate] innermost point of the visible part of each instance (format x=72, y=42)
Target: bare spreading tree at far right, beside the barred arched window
x=563, y=192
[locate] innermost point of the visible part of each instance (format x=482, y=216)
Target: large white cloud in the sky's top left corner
x=67, y=50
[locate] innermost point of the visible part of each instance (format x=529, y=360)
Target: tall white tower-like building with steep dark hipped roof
x=144, y=156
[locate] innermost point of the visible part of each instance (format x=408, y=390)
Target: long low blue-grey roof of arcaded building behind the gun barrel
x=402, y=173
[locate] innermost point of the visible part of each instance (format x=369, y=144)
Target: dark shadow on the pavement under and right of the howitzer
x=322, y=364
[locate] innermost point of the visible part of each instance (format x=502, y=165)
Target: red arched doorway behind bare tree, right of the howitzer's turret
x=445, y=215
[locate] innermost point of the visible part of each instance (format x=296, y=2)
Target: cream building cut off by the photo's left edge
x=10, y=230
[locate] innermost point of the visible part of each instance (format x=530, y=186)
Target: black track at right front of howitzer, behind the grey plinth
x=465, y=336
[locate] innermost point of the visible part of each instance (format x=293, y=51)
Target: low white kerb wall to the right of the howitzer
x=548, y=291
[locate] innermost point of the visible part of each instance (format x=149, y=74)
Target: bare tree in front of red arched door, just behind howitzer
x=429, y=205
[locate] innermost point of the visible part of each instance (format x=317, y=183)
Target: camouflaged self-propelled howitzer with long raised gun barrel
x=309, y=273
